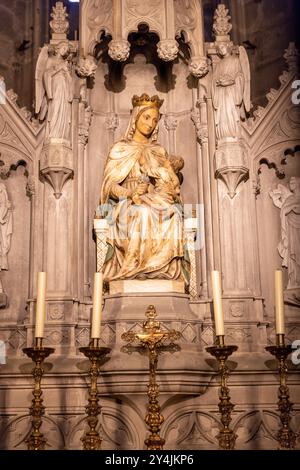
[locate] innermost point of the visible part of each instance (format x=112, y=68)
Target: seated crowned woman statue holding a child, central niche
x=141, y=190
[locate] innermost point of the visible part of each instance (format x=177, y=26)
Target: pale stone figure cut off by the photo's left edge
x=5, y=227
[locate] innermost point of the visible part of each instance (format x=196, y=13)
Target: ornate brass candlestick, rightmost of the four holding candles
x=285, y=436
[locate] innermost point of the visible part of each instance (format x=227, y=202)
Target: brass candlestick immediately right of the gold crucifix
x=221, y=352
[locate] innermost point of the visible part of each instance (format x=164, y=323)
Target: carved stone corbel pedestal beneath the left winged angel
x=56, y=164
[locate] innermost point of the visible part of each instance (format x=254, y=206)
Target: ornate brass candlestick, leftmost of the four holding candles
x=38, y=354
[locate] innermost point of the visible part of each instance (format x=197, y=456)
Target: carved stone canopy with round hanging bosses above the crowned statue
x=169, y=19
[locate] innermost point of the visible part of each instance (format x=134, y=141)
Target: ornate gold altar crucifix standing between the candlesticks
x=152, y=338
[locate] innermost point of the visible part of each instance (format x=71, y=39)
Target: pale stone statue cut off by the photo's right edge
x=288, y=201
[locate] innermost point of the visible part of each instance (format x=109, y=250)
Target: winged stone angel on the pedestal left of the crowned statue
x=54, y=90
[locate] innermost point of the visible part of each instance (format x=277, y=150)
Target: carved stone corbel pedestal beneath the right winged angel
x=231, y=165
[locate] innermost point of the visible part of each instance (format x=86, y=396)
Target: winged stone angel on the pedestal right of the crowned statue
x=230, y=90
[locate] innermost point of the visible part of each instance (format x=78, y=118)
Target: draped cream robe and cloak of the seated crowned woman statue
x=146, y=239
